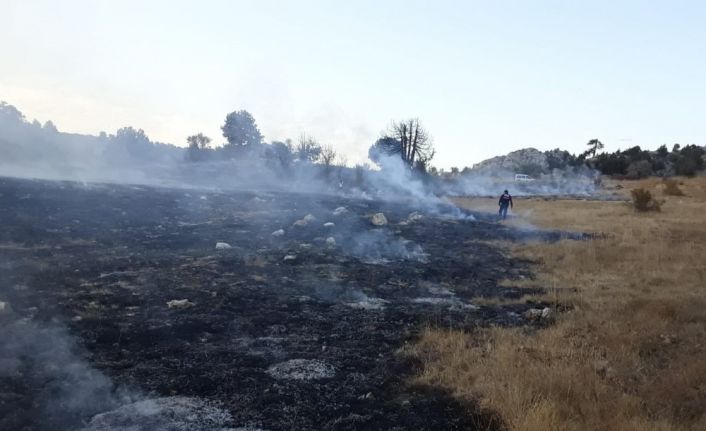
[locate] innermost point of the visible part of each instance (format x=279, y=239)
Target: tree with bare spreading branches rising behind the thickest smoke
x=408, y=139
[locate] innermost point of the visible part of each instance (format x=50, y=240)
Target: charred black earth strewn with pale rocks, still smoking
x=118, y=299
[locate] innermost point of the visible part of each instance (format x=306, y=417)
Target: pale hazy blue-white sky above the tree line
x=484, y=77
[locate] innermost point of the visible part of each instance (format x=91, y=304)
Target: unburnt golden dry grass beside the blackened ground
x=630, y=355
